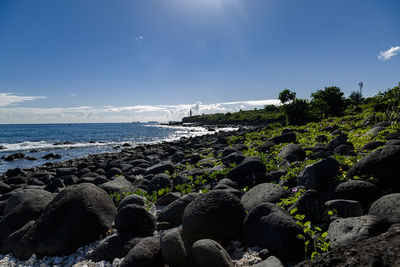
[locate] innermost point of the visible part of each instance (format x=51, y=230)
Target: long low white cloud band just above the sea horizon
x=84, y=114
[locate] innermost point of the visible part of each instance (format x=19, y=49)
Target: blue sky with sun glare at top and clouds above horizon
x=122, y=61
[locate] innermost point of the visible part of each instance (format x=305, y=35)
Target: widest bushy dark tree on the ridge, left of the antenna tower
x=329, y=102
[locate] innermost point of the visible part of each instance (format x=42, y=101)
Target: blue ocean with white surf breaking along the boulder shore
x=78, y=140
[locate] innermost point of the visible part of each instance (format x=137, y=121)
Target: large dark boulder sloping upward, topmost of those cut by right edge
x=381, y=164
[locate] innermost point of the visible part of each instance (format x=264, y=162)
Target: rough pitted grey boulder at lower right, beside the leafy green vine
x=348, y=231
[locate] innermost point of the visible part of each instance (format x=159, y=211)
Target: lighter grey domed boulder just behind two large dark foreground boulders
x=263, y=193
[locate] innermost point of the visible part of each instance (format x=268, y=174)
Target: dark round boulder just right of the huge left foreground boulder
x=136, y=220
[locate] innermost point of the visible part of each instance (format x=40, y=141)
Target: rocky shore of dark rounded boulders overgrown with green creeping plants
x=211, y=200
